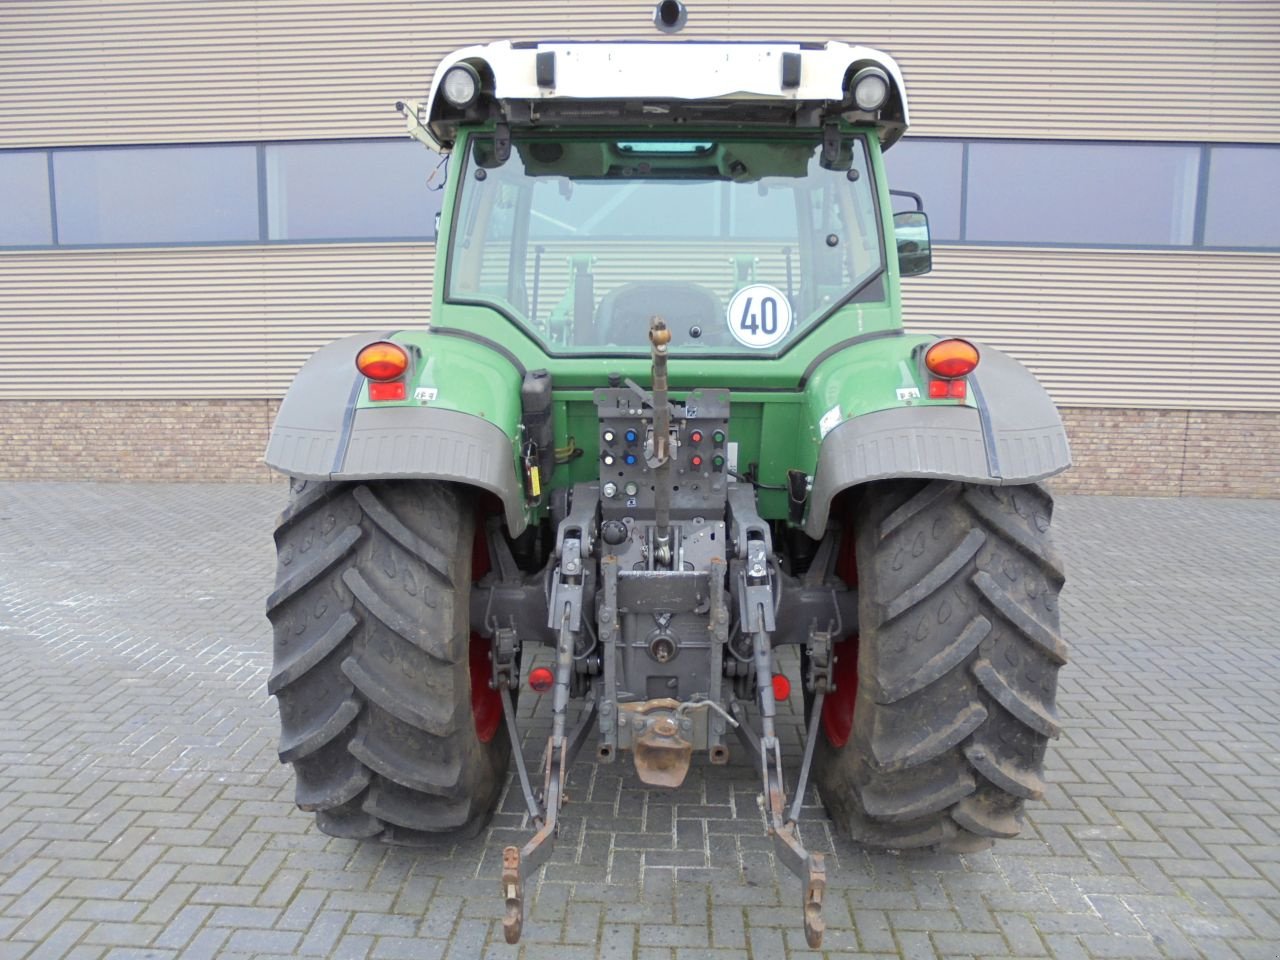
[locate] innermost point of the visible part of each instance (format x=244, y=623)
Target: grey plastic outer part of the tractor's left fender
x=321, y=435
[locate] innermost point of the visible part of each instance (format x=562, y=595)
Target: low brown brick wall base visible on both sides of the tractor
x=1124, y=452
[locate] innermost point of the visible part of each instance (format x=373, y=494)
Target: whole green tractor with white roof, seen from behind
x=665, y=420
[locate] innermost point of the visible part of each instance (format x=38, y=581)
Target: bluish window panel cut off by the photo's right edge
x=1244, y=198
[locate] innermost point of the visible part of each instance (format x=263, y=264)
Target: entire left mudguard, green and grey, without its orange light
x=460, y=422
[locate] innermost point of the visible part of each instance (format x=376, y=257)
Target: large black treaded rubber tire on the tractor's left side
x=372, y=669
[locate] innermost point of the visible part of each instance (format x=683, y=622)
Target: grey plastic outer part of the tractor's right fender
x=1013, y=436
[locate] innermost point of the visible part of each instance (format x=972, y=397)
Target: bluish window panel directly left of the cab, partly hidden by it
x=351, y=191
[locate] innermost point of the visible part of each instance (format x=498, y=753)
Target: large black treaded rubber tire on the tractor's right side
x=958, y=662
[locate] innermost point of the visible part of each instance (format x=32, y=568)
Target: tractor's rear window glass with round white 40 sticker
x=739, y=245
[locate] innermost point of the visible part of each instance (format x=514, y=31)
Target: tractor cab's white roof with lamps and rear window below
x=729, y=188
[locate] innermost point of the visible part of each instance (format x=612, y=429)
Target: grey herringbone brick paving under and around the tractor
x=143, y=812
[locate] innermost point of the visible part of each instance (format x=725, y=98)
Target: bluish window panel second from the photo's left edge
x=157, y=195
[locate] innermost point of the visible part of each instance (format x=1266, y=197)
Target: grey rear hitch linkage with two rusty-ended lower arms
x=638, y=602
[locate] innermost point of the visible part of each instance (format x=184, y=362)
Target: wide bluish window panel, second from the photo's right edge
x=1107, y=194
